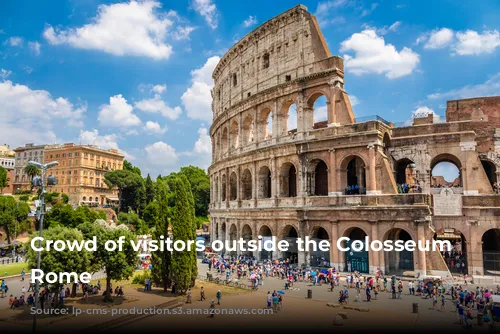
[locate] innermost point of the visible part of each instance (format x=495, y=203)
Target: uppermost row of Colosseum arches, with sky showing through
x=259, y=126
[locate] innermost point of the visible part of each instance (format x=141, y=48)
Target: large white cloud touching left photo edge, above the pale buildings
x=21, y=102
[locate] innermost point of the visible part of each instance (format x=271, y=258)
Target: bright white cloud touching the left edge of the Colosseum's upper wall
x=197, y=99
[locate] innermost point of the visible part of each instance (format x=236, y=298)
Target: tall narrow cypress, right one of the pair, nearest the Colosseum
x=184, y=266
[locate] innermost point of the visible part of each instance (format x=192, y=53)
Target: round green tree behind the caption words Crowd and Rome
x=63, y=261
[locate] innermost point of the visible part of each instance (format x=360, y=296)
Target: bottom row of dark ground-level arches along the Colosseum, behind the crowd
x=395, y=262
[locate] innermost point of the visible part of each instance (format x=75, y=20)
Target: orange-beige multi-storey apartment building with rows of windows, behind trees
x=80, y=172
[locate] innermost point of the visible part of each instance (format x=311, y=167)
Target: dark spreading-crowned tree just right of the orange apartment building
x=129, y=184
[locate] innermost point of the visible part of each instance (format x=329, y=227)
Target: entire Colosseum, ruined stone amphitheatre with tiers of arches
x=278, y=171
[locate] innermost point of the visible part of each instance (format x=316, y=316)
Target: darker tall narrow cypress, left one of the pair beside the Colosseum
x=161, y=261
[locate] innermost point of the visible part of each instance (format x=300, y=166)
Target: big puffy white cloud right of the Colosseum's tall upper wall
x=373, y=55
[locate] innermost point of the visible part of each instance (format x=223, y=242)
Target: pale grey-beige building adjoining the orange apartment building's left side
x=22, y=155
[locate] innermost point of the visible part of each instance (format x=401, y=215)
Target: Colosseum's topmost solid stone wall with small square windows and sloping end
x=283, y=49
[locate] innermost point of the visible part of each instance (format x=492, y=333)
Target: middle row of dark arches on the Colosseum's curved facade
x=288, y=180
